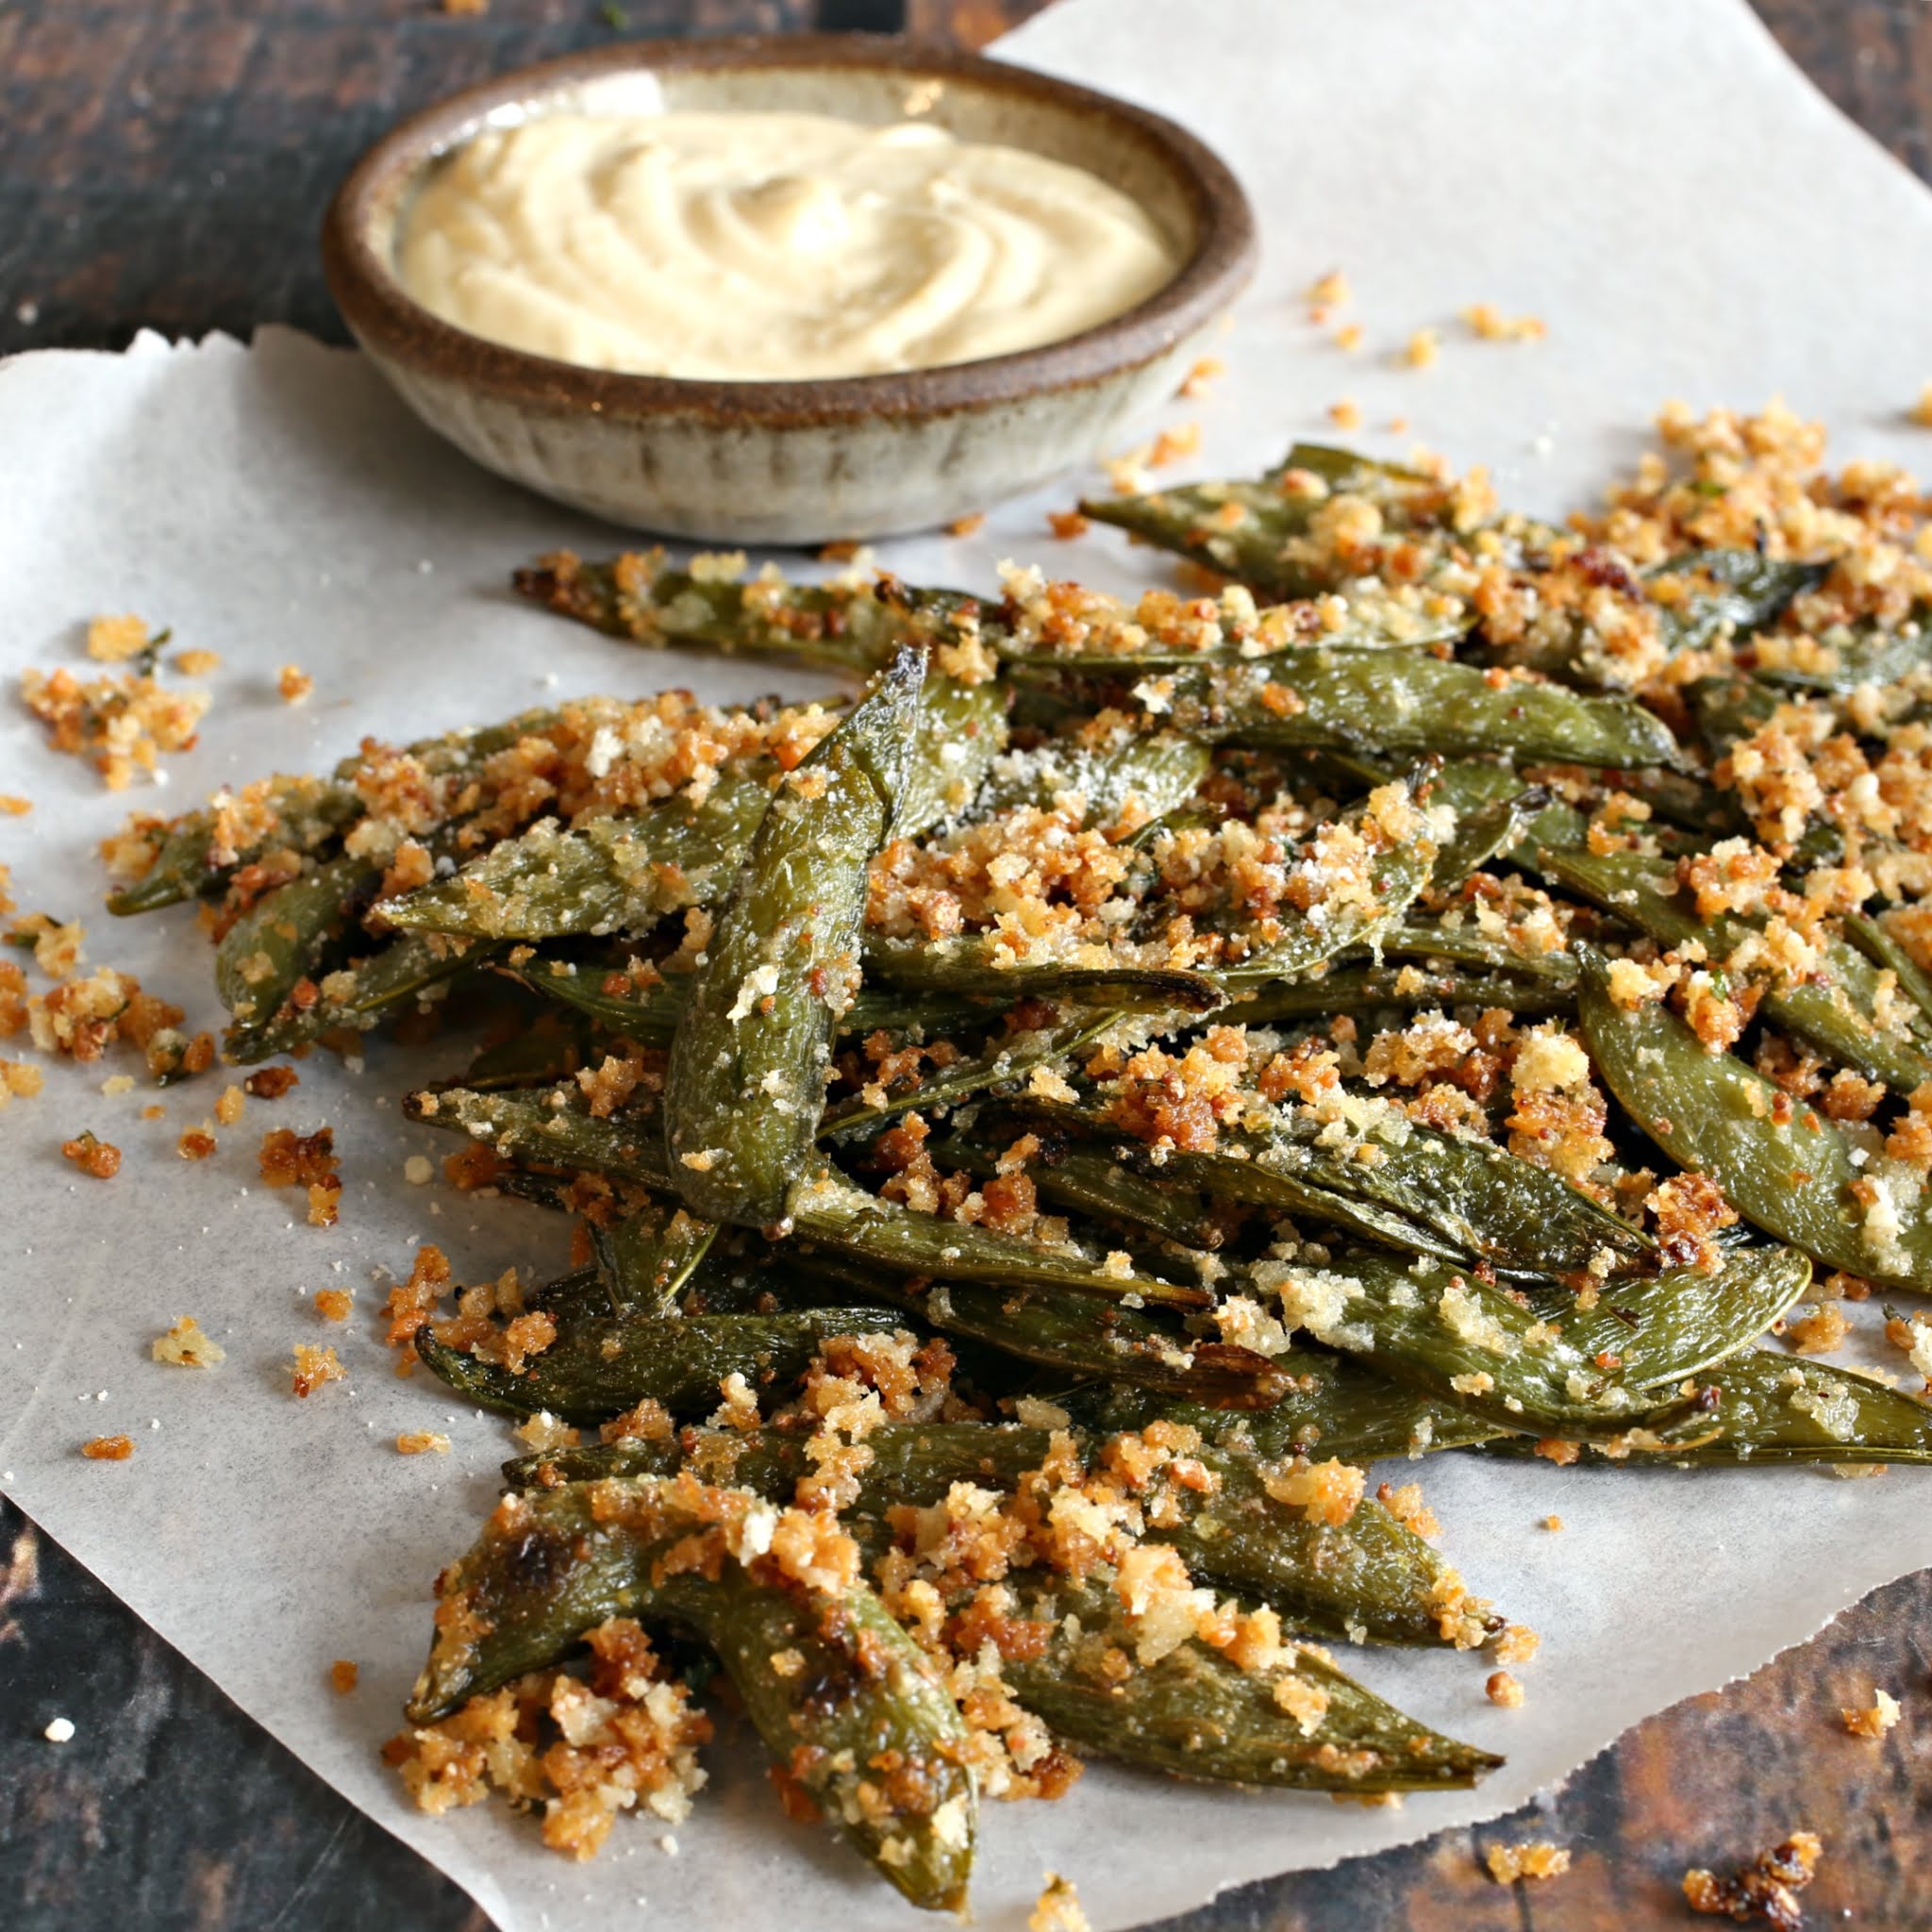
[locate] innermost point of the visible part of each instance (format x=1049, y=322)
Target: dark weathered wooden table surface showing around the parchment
x=163, y=163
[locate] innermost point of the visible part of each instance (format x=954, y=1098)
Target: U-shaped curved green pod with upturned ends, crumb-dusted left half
x=1548, y=1367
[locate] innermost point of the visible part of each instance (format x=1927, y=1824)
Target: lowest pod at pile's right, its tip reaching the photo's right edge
x=1765, y=1409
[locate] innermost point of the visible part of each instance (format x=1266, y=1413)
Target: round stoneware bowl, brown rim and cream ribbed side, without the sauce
x=797, y=463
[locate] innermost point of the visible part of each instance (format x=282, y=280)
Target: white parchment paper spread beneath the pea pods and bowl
x=1651, y=179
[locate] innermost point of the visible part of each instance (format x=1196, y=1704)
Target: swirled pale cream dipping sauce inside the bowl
x=770, y=246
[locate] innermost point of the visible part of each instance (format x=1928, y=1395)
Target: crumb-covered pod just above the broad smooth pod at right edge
x=1834, y=1013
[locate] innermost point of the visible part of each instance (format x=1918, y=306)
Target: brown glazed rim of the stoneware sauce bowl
x=393, y=326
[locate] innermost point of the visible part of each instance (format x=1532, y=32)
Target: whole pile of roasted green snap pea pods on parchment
x=1460, y=1295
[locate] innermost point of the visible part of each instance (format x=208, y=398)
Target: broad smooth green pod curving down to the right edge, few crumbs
x=1786, y=1170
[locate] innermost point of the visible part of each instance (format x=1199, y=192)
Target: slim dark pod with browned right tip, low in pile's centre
x=1073, y=1334
